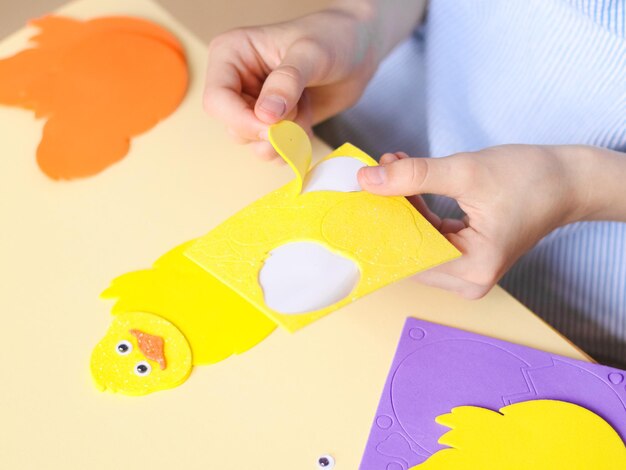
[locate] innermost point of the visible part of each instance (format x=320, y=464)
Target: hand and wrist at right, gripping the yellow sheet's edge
x=512, y=195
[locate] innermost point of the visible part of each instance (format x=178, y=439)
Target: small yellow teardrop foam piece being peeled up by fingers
x=293, y=145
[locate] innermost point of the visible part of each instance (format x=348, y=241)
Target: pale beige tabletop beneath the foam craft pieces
x=277, y=407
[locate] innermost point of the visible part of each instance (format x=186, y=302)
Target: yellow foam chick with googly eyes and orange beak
x=206, y=318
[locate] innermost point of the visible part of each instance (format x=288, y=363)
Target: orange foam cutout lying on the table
x=98, y=83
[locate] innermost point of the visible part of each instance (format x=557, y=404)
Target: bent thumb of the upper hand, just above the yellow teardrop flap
x=283, y=87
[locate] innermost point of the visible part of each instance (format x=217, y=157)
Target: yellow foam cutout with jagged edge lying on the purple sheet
x=538, y=435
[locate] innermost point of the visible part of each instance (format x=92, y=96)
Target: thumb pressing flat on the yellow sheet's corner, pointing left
x=409, y=176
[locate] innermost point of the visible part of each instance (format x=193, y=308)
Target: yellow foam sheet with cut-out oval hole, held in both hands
x=385, y=236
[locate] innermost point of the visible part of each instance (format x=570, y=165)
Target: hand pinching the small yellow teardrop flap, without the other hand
x=304, y=70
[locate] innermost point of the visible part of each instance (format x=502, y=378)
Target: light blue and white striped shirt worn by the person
x=486, y=72
